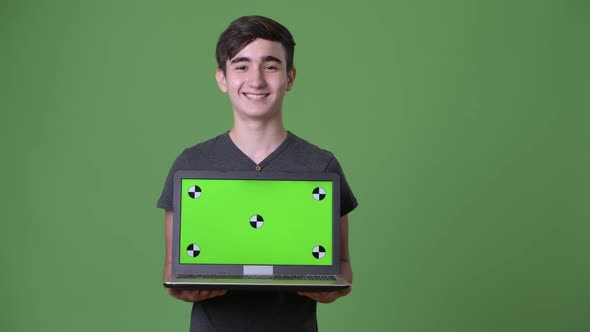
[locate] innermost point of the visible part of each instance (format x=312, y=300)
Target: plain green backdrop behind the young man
x=462, y=127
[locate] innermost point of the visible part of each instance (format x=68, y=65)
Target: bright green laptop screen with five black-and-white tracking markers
x=258, y=222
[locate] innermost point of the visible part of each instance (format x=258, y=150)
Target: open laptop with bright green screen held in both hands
x=256, y=230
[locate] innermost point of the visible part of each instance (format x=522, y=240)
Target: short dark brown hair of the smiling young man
x=244, y=30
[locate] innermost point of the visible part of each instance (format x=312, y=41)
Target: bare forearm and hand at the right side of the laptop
x=346, y=268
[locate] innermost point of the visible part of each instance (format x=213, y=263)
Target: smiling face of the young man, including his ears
x=256, y=79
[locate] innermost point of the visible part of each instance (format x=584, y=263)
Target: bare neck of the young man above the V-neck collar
x=258, y=139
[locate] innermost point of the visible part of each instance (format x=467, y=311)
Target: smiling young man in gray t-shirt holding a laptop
x=255, y=69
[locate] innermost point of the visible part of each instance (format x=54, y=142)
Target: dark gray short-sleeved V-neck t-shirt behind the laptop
x=254, y=310
